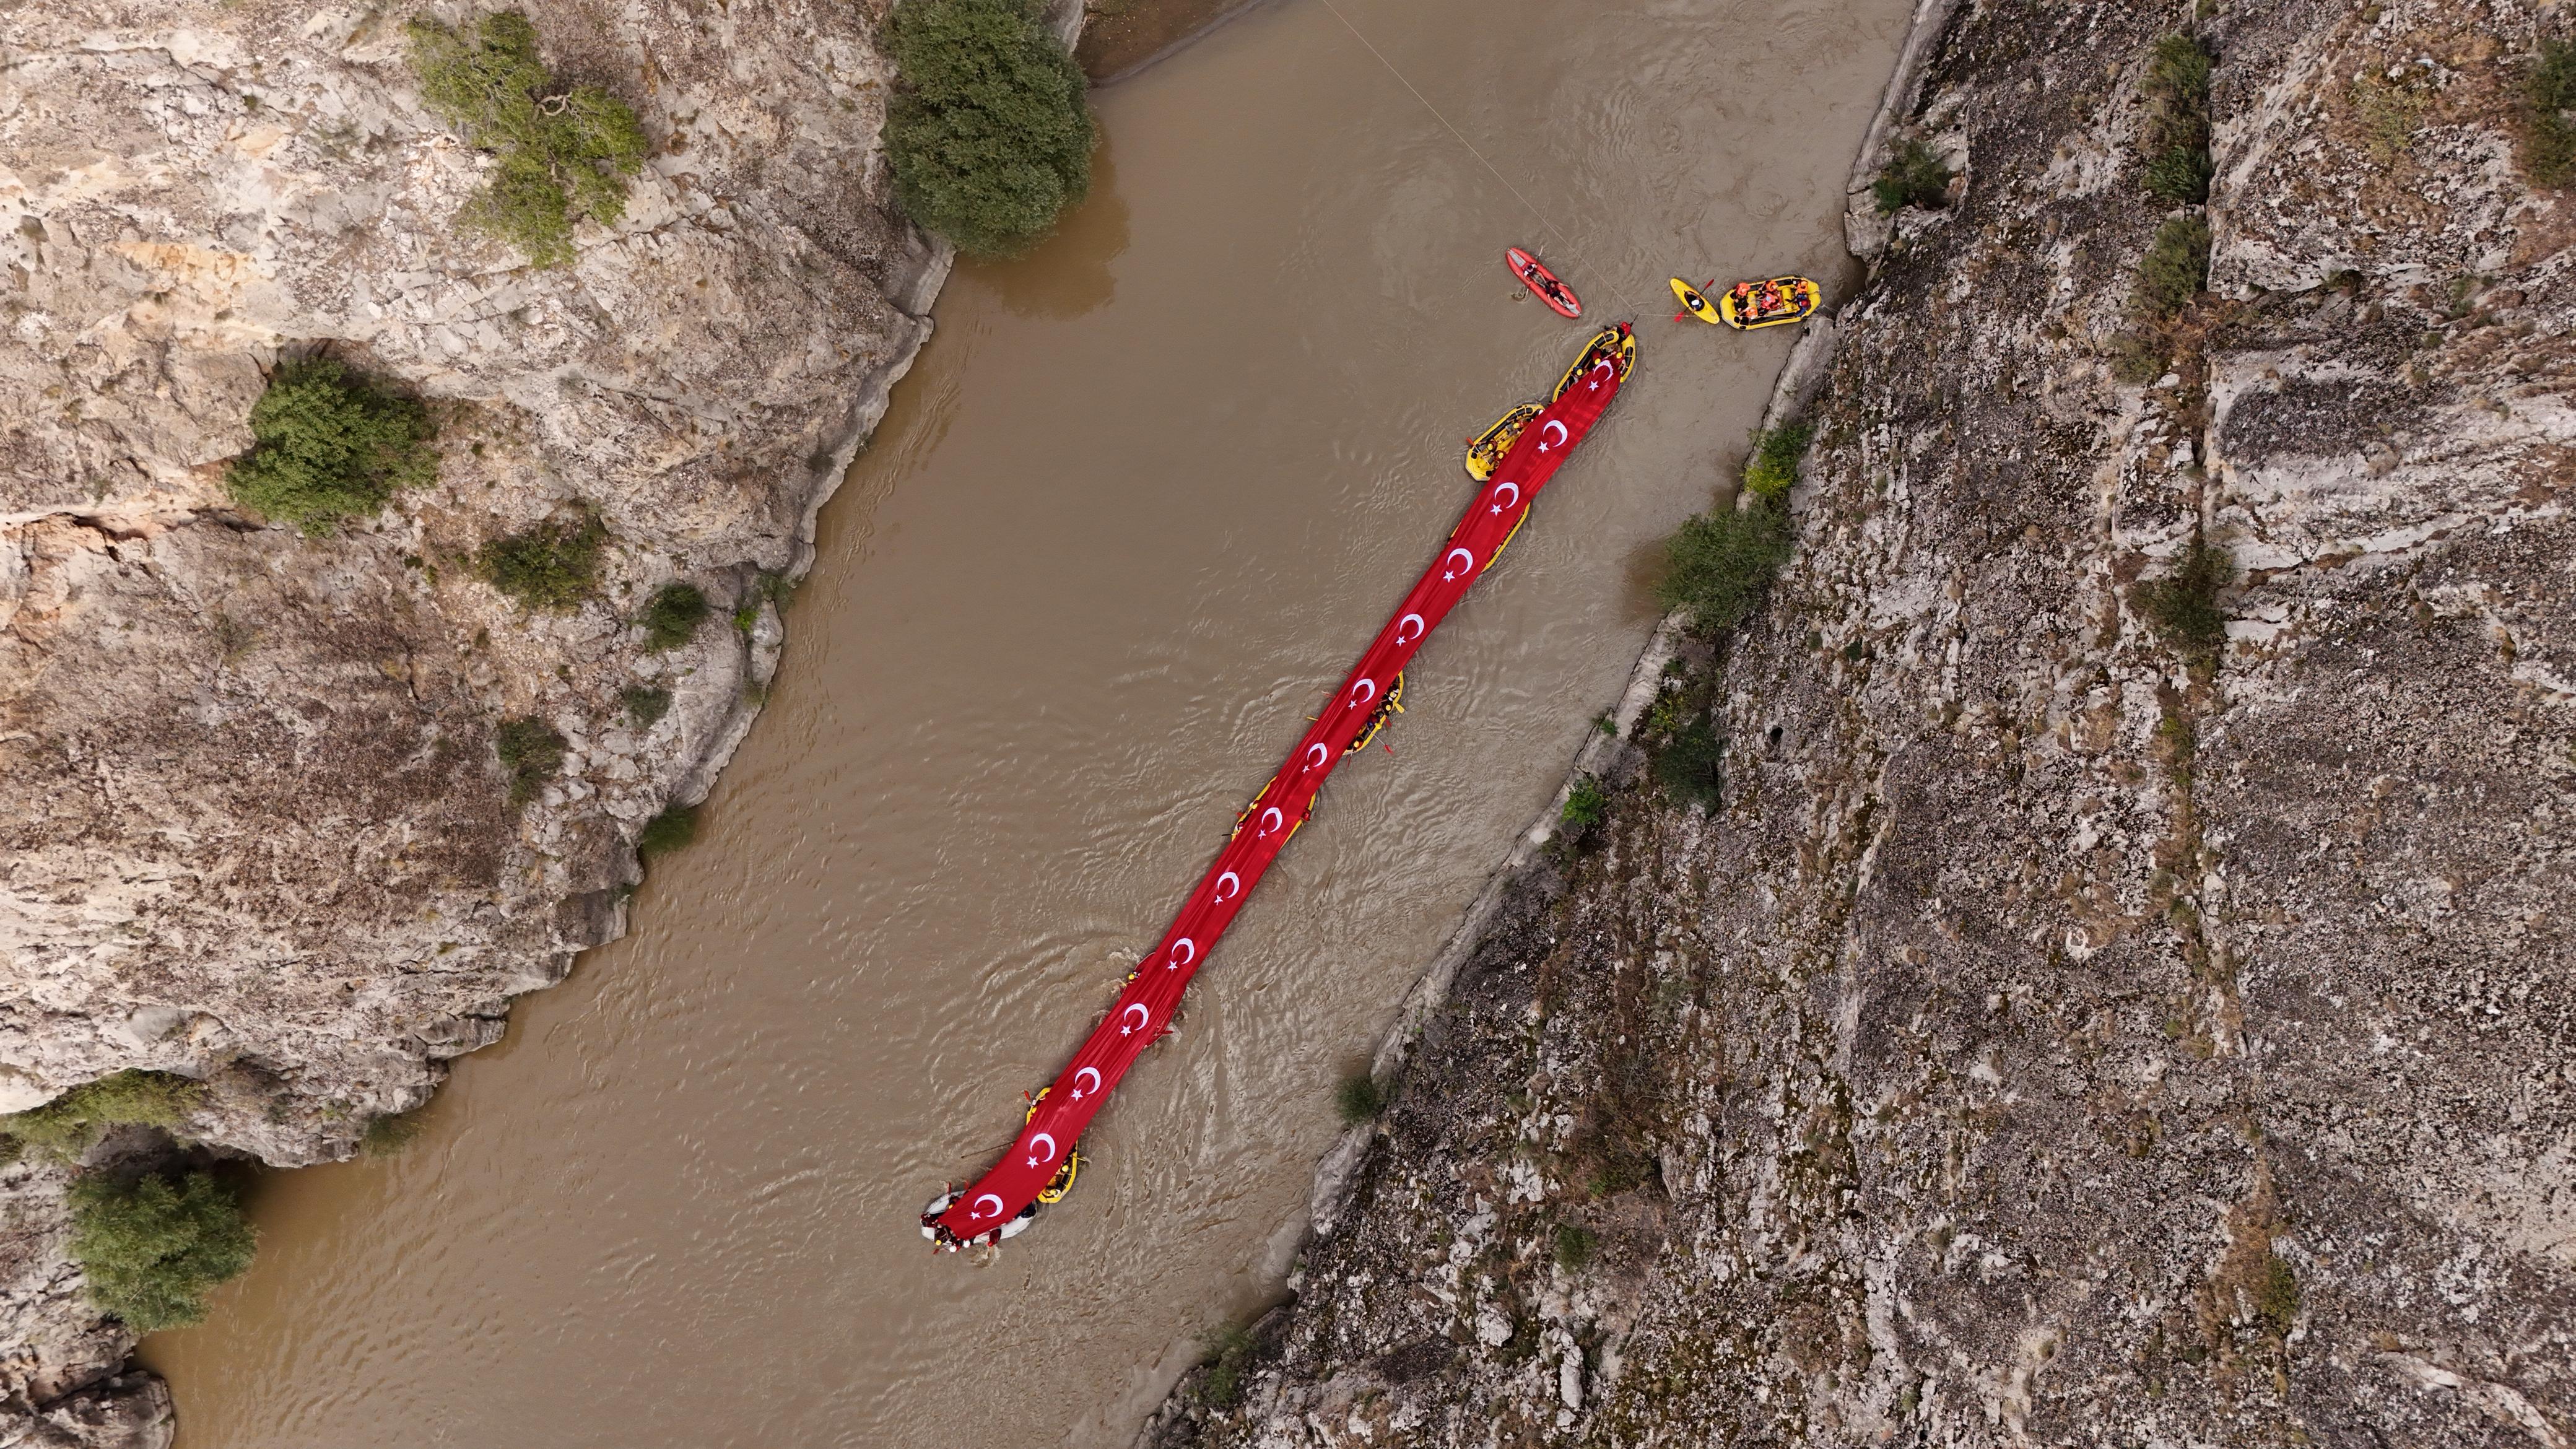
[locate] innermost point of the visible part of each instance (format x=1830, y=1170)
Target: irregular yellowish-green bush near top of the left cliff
x=563, y=151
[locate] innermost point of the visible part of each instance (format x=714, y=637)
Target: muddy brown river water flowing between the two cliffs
x=1142, y=499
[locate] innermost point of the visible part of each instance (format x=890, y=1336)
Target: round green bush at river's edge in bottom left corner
x=153, y=1247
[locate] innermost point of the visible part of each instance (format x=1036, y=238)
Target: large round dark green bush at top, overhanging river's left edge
x=990, y=135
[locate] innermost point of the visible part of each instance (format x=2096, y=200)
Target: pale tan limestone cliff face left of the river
x=251, y=819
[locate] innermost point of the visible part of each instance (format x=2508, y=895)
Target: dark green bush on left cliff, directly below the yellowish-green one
x=328, y=445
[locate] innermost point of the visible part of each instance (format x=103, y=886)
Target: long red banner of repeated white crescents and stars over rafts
x=1150, y=999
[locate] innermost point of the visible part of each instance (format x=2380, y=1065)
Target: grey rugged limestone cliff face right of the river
x=2049, y=1040
